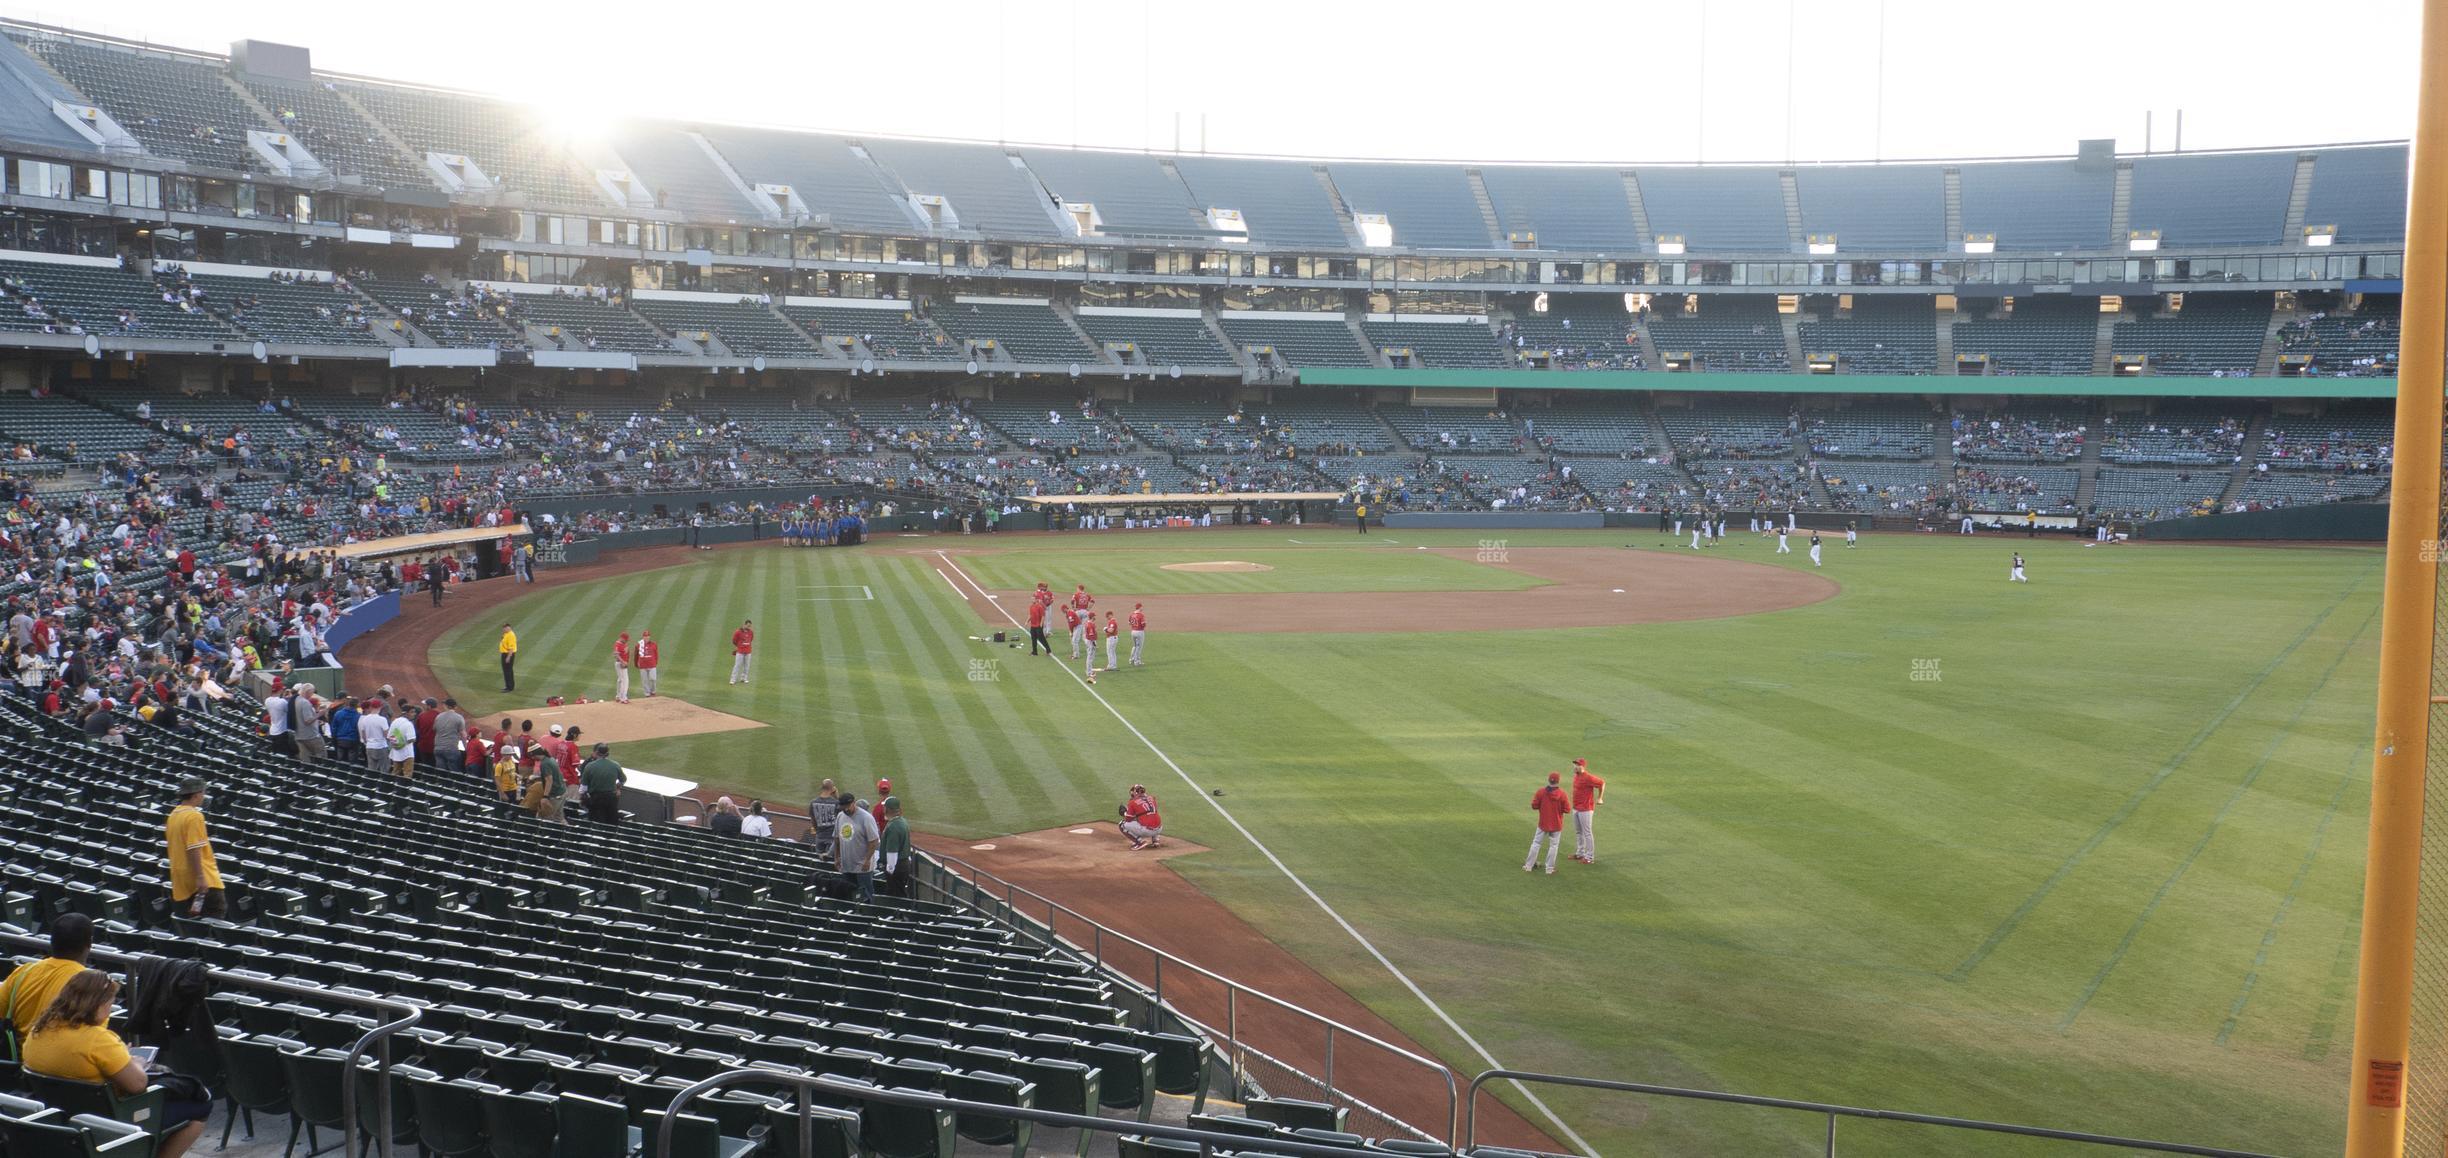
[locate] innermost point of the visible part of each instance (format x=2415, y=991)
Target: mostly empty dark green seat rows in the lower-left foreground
x=569, y=981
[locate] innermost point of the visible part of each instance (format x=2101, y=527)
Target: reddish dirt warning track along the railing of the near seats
x=1093, y=870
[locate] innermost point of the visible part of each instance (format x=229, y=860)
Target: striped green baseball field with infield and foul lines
x=1896, y=831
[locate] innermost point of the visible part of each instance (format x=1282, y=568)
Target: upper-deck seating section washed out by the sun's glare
x=508, y=143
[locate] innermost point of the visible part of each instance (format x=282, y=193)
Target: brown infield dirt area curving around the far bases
x=1588, y=586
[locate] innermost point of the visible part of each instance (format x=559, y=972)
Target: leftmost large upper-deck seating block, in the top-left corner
x=175, y=104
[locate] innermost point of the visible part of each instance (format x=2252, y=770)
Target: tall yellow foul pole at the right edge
x=2376, y=1118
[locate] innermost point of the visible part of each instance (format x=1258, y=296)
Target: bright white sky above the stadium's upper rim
x=1553, y=80
